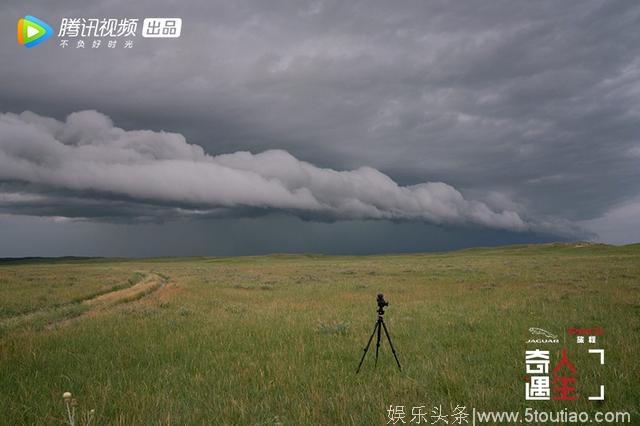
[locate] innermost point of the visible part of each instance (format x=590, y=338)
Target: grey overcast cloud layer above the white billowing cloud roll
x=532, y=107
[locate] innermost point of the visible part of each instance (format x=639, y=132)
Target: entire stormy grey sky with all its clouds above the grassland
x=335, y=127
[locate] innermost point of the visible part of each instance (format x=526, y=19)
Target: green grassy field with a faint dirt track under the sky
x=276, y=339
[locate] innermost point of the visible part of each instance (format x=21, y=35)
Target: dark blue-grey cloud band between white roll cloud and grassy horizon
x=34, y=236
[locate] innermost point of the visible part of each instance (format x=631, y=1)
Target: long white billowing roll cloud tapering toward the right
x=87, y=167
